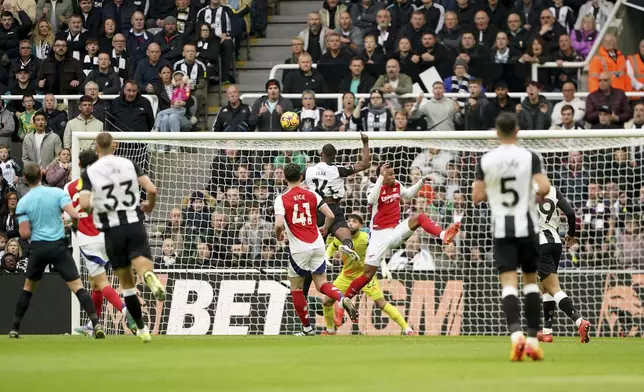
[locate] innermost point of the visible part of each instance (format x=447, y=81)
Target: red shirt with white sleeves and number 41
x=299, y=208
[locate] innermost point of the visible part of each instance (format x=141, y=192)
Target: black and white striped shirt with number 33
x=114, y=183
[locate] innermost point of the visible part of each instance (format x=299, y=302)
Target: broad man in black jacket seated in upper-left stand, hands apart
x=60, y=73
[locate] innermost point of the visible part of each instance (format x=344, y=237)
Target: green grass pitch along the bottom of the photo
x=284, y=364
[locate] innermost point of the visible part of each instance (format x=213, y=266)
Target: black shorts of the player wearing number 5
x=512, y=253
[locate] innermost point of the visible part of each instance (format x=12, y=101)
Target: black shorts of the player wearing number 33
x=123, y=243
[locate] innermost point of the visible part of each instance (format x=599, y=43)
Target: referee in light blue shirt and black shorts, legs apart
x=39, y=218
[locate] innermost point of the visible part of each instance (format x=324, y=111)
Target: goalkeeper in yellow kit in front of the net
x=352, y=269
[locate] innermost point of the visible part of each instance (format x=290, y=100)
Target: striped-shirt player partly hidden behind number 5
x=550, y=249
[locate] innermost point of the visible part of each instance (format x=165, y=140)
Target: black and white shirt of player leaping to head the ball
x=327, y=180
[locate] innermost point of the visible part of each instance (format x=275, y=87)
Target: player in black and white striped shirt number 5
x=504, y=177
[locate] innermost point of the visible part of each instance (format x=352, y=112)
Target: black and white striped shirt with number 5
x=507, y=173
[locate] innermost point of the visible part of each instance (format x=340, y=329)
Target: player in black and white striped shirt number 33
x=114, y=183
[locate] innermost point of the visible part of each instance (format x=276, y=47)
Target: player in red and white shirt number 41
x=295, y=215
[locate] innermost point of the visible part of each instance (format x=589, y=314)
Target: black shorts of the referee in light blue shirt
x=56, y=253
